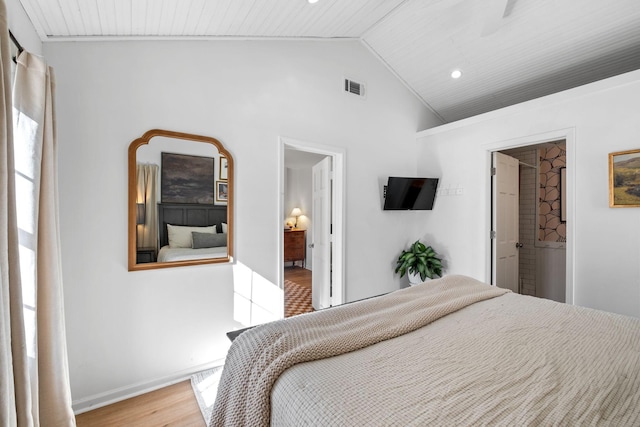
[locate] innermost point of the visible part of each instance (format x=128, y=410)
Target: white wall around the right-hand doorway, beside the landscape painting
x=605, y=242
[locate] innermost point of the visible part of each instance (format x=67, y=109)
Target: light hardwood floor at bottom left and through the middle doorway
x=174, y=405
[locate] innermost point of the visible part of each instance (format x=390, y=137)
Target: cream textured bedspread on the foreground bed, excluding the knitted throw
x=507, y=361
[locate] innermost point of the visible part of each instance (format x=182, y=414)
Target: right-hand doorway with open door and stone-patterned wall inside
x=542, y=223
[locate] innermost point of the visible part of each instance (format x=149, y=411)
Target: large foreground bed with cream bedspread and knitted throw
x=453, y=351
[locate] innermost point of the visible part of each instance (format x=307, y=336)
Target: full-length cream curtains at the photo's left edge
x=35, y=379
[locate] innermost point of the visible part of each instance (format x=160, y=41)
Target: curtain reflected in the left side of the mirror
x=147, y=179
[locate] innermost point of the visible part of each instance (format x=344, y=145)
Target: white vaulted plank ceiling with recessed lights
x=509, y=51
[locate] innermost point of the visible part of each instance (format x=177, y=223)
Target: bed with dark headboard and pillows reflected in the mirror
x=188, y=218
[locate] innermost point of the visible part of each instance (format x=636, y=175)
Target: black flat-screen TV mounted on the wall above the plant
x=410, y=193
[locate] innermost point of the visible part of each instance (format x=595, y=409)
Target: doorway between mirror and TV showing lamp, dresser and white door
x=312, y=209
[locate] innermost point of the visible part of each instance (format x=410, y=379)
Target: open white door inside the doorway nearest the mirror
x=321, y=235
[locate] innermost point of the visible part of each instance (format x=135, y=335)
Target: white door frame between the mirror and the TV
x=338, y=205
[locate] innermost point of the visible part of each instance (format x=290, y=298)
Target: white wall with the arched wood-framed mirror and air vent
x=127, y=331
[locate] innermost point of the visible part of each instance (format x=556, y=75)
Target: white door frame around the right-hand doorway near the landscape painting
x=568, y=134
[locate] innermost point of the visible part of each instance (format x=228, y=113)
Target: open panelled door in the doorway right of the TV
x=506, y=194
